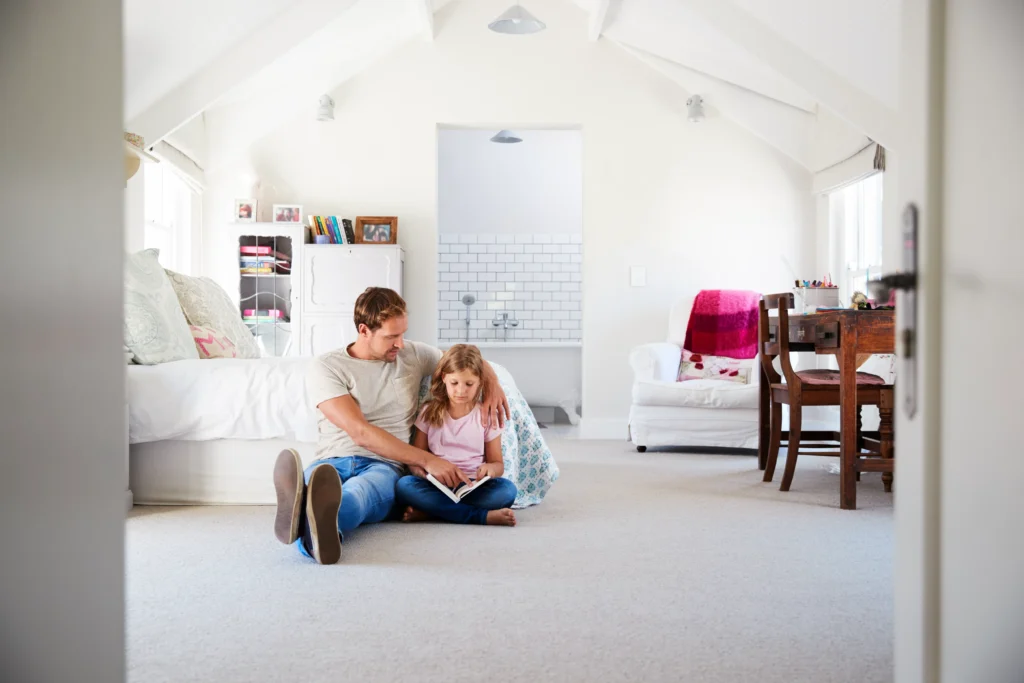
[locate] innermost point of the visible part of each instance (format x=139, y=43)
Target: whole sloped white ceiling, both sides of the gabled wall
x=172, y=46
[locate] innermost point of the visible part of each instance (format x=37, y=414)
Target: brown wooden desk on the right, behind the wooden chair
x=844, y=334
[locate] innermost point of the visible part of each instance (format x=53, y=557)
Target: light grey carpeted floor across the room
x=663, y=567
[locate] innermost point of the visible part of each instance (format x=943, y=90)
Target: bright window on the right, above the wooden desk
x=856, y=219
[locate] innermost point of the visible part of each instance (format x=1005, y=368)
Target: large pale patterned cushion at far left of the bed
x=155, y=328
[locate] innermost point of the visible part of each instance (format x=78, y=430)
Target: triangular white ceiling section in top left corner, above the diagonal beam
x=166, y=41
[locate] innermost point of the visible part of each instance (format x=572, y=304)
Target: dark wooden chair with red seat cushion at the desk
x=808, y=388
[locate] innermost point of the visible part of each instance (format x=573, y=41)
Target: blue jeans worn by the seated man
x=367, y=492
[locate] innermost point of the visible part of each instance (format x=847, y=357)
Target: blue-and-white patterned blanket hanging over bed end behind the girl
x=529, y=463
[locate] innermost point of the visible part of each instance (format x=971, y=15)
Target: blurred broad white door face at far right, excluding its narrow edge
x=983, y=479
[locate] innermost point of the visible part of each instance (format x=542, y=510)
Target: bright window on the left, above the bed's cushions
x=170, y=224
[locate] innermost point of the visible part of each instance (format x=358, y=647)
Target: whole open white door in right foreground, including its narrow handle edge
x=960, y=511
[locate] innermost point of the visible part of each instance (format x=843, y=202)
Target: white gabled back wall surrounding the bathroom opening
x=701, y=206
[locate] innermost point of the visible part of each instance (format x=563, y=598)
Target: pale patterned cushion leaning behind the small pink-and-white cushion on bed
x=206, y=305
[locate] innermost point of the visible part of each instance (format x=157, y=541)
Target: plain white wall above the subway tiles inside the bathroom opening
x=525, y=188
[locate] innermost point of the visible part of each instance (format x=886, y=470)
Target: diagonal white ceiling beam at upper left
x=259, y=51
